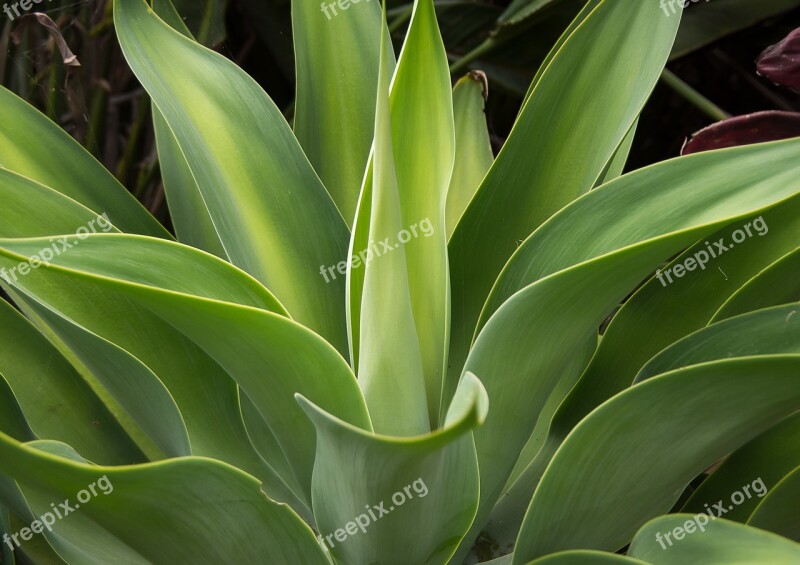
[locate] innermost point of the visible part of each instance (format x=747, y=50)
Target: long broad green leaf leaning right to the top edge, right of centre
x=535, y=175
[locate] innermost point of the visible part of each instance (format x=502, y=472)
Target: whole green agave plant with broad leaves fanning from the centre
x=375, y=342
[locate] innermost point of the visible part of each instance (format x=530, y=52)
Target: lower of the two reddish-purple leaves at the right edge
x=745, y=130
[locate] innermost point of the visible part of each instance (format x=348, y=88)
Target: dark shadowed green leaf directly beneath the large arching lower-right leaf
x=767, y=458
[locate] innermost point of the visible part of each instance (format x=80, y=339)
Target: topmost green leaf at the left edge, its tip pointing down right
x=36, y=148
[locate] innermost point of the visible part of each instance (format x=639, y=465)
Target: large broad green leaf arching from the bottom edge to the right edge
x=639, y=450
